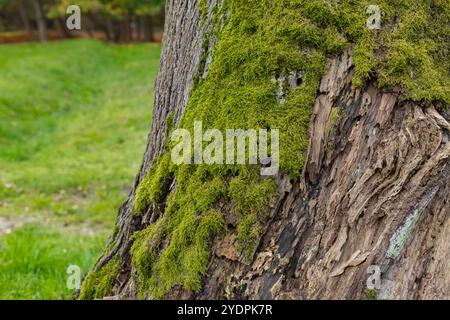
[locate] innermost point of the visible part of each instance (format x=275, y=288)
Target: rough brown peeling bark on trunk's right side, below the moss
x=380, y=164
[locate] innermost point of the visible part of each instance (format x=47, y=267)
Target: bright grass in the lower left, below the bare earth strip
x=34, y=262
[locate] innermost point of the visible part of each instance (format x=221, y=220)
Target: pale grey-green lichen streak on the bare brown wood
x=401, y=236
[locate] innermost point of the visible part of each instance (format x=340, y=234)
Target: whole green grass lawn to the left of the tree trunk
x=74, y=117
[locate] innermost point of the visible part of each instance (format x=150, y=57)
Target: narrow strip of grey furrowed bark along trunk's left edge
x=180, y=58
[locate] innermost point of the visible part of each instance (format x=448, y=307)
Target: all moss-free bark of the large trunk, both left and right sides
x=373, y=191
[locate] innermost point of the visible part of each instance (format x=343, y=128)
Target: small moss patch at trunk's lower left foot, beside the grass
x=98, y=284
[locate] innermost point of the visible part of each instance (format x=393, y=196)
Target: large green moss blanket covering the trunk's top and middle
x=261, y=41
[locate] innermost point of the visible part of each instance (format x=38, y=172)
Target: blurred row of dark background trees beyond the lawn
x=116, y=20
